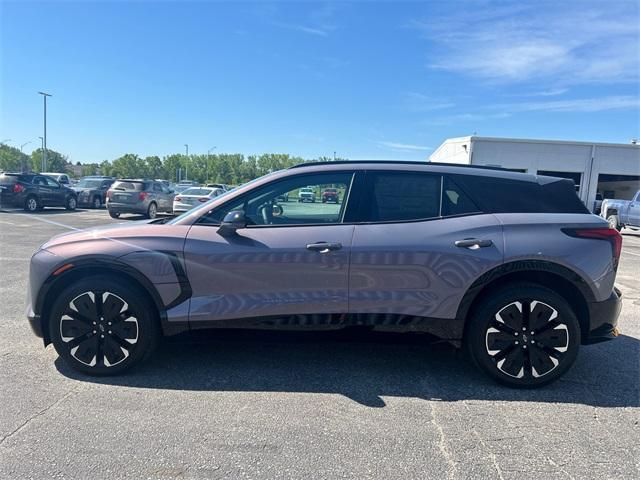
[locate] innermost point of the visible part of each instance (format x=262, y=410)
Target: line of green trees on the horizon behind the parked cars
x=227, y=168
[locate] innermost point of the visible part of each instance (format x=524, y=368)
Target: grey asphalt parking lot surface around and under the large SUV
x=308, y=406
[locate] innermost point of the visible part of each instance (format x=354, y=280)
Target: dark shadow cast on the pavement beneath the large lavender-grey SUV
x=367, y=367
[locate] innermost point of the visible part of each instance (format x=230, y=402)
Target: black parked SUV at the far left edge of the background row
x=34, y=192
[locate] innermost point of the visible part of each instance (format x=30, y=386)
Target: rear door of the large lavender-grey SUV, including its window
x=405, y=260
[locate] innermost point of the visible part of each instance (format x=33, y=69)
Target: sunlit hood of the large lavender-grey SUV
x=119, y=239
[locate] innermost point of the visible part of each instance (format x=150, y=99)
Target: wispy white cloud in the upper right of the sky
x=564, y=42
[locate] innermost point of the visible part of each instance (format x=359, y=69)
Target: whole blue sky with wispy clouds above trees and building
x=365, y=79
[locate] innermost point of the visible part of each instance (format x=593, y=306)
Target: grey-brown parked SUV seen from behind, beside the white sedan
x=145, y=197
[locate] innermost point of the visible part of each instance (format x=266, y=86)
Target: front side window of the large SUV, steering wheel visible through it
x=292, y=201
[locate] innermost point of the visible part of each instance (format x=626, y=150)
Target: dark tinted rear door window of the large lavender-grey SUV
x=400, y=196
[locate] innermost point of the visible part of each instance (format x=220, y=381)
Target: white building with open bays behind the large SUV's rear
x=609, y=169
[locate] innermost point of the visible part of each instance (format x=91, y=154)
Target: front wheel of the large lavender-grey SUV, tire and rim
x=103, y=326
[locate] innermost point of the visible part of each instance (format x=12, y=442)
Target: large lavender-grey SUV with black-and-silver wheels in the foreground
x=510, y=266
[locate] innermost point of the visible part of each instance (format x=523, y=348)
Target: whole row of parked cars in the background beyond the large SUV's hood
x=148, y=197
